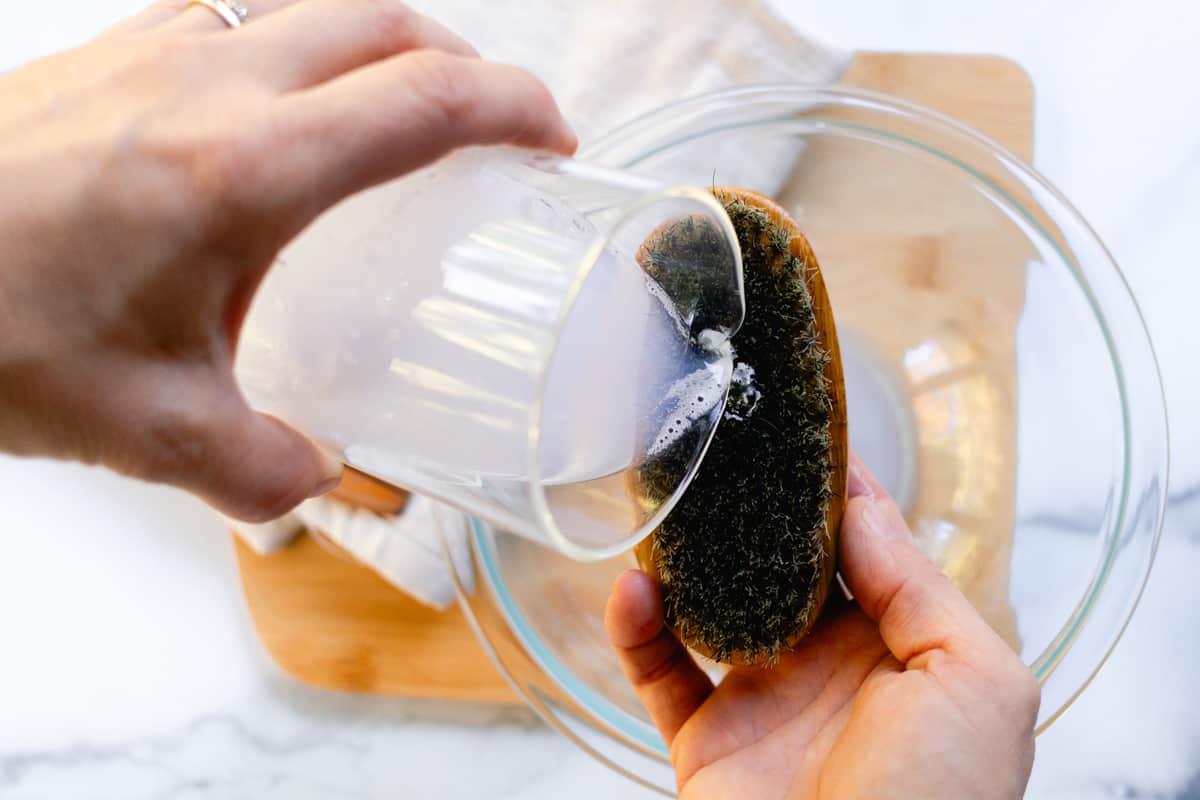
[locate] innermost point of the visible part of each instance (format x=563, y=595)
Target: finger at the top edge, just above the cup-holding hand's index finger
x=316, y=41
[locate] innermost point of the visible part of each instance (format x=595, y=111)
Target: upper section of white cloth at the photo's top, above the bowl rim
x=610, y=61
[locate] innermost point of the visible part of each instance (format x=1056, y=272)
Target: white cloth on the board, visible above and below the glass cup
x=607, y=62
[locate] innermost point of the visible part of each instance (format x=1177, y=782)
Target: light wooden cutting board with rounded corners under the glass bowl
x=331, y=623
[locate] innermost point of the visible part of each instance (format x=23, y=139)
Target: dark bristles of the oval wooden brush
x=741, y=556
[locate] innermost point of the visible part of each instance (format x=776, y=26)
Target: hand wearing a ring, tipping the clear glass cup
x=149, y=181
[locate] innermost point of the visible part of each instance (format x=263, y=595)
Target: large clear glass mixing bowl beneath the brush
x=1000, y=382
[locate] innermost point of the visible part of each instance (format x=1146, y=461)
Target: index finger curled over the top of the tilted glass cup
x=397, y=116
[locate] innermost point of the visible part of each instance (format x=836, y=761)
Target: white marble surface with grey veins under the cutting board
x=130, y=669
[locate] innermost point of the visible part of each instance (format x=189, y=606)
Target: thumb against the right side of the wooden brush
x=917, y=609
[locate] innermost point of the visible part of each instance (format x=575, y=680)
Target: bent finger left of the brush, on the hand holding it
x=669, y=683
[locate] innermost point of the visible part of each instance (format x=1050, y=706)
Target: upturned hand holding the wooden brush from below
x=905, y=695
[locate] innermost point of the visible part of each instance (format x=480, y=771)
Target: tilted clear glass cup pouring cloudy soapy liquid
x=469, y=334
